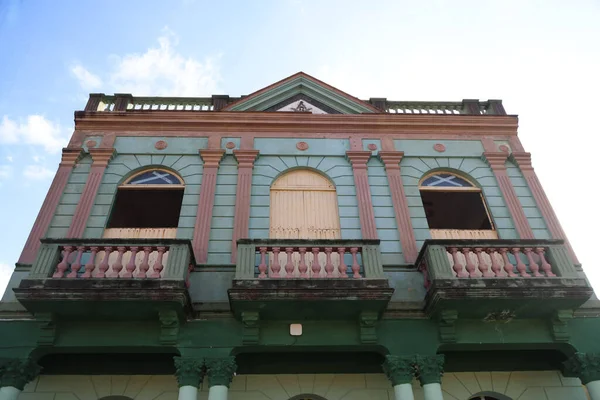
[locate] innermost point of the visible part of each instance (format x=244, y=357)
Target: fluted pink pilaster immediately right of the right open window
x=497, y=160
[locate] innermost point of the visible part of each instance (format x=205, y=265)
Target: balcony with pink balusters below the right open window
x=488, y=278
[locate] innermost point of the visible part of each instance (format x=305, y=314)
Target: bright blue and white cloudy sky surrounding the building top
x=541, y=57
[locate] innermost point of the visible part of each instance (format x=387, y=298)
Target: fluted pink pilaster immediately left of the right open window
x=391, y=161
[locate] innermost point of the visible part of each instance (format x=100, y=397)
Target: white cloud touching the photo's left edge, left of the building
x=34, y=130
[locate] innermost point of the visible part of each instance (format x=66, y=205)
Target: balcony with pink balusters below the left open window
x=119, y=278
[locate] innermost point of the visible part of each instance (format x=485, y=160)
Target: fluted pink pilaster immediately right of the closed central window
x=359, y=160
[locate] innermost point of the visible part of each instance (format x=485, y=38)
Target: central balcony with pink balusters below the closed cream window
x=279, y=278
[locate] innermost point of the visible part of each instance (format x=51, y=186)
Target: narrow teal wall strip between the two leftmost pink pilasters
x=68, y=202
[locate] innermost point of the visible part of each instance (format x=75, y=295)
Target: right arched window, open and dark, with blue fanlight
x=455, y=208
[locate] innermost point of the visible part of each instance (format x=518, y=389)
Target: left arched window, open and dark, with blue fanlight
x=147, y=205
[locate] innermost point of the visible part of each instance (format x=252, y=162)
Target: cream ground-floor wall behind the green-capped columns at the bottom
x=539, y=385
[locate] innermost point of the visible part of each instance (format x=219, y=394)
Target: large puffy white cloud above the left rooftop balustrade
x=161, y=71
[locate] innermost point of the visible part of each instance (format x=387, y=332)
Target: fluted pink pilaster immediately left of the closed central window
x=245, y=159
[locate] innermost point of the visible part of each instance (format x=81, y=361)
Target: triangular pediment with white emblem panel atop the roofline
x=302, y=93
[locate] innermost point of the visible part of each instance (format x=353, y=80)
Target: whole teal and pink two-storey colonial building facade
x=297, y=243
